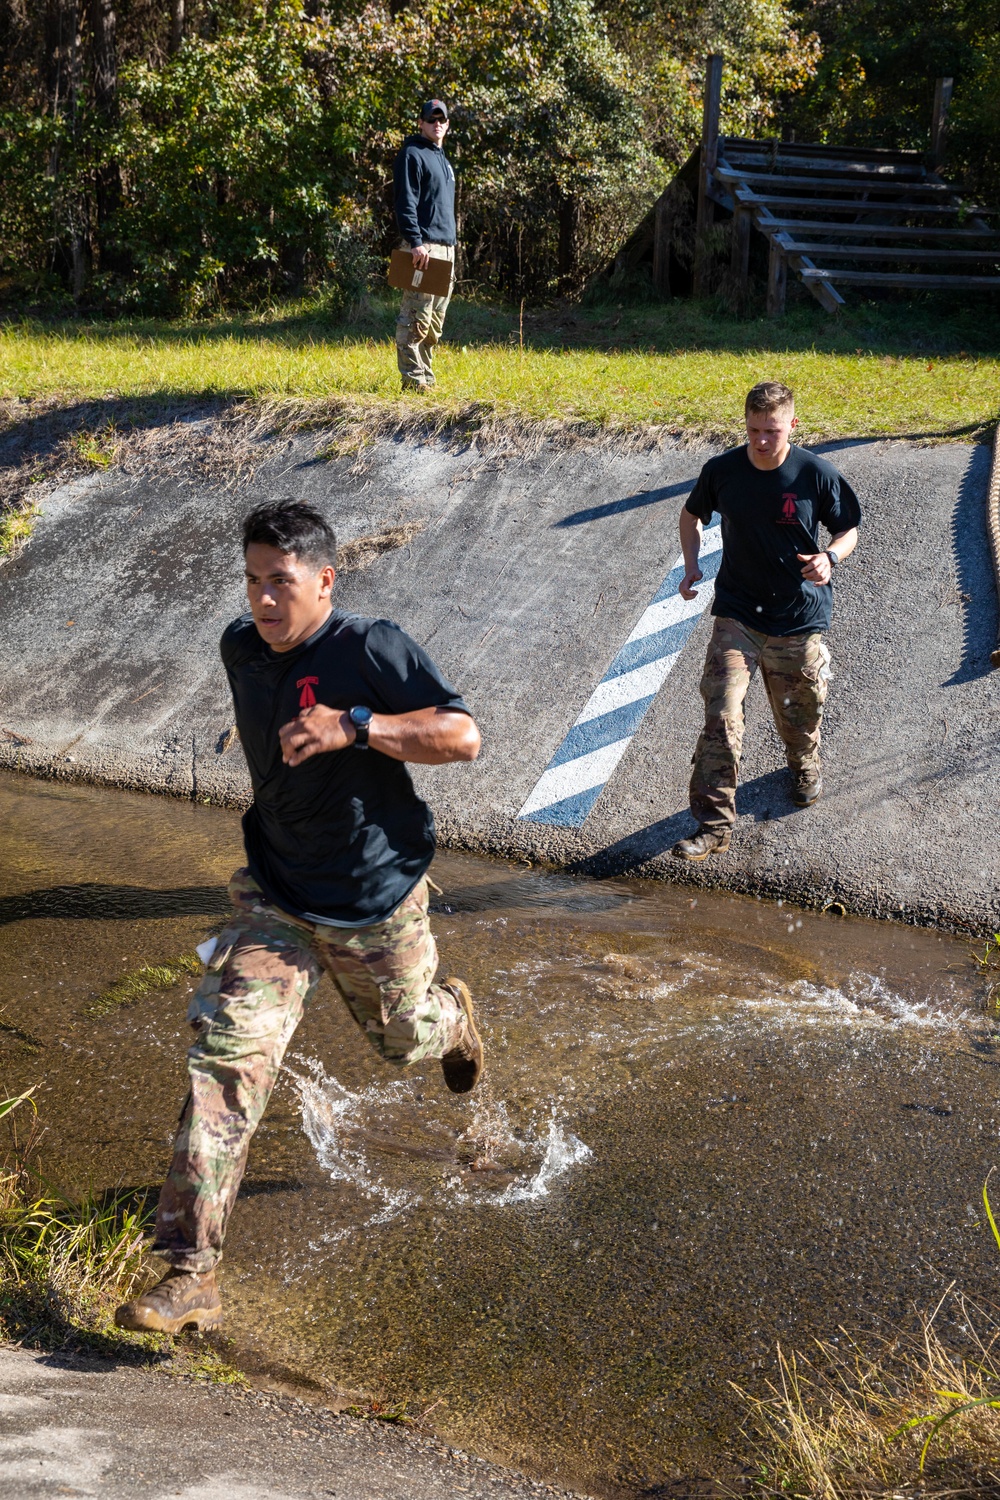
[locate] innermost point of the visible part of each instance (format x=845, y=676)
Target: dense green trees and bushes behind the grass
x=256, y=158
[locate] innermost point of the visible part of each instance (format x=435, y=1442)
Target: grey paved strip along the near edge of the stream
x=83, y=1427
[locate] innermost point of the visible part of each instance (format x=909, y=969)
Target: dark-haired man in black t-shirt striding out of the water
x=329, y=709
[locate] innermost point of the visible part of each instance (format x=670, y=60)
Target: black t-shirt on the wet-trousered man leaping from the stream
x=343, y=838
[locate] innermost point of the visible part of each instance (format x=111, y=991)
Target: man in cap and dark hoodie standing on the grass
x=425, y=212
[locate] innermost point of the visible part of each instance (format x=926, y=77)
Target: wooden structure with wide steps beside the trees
x=836, y=217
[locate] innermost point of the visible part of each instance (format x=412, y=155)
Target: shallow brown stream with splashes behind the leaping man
x=708, y=1126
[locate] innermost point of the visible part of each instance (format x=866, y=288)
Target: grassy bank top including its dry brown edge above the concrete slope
x=675, y=370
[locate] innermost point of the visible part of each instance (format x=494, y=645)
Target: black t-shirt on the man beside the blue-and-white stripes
x=770, y=517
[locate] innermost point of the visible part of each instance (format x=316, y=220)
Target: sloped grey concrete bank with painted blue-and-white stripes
x=527, y=571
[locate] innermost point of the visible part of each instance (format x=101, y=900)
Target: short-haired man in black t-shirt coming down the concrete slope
x=773, y=604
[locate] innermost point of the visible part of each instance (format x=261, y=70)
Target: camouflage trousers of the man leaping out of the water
x=245, y=1012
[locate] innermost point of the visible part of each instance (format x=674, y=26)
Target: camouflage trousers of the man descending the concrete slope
x=797, y=674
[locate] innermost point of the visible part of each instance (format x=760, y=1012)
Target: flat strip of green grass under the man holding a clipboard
x=912, y=371
